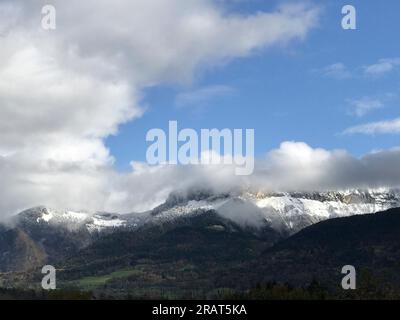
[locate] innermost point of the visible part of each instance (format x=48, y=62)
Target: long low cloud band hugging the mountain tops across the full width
x=294, y=166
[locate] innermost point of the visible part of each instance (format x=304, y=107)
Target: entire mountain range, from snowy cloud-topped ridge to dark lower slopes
x=201, y=240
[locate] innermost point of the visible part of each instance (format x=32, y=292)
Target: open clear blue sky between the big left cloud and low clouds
x=287, y=93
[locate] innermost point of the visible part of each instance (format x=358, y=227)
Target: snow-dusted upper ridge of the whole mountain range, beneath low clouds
x=287, y=212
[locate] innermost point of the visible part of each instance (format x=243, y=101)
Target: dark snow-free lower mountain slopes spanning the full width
x=201, y=253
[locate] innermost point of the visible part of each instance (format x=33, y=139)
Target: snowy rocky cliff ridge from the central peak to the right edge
x=289, y=212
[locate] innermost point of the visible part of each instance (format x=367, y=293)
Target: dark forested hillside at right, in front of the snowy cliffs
x=368, y=242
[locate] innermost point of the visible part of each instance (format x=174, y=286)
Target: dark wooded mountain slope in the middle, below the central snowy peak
x=201, y=238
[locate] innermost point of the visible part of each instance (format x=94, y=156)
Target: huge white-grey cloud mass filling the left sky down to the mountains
x=63, y=92
